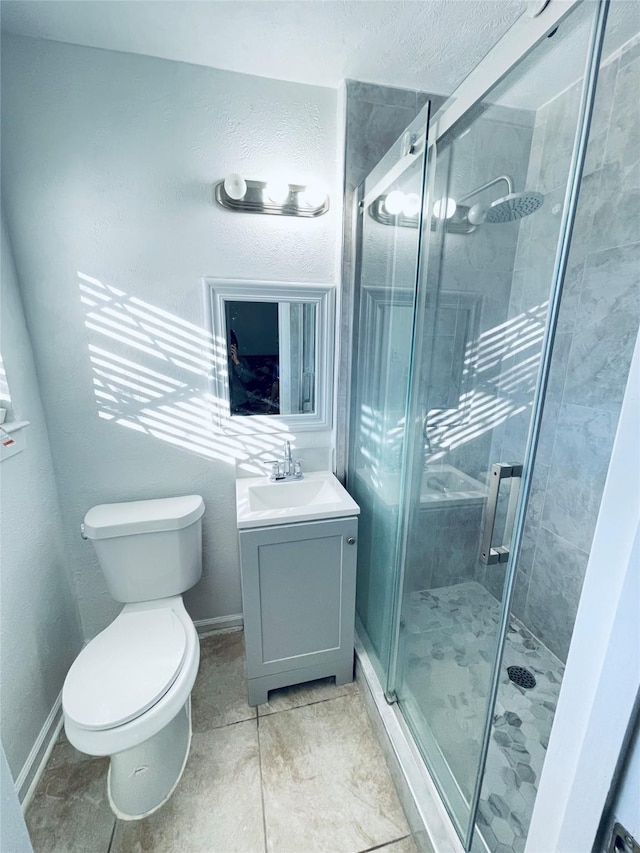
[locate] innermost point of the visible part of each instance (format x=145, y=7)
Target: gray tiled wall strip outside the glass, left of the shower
x=375, y=117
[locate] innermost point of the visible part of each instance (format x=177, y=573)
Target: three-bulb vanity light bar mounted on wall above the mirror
x=275, y=197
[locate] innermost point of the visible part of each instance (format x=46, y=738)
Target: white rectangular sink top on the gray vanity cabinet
x=260, y=503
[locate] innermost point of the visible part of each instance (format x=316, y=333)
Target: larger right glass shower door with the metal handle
x=500, y=191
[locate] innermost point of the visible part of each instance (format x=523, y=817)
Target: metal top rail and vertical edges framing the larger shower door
x=505, y=56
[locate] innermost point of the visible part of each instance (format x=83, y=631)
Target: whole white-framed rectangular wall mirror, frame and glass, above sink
x=273, y=354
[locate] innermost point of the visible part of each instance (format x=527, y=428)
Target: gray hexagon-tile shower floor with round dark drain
x=451, y=644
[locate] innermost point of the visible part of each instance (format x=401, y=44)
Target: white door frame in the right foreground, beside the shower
x=602, y=679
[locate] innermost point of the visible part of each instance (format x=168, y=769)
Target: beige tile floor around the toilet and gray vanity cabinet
x=302, y=773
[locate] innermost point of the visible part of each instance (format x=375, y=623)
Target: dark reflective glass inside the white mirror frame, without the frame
x=271, y=354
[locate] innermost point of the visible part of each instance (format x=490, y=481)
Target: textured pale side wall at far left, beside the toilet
x=39, y=626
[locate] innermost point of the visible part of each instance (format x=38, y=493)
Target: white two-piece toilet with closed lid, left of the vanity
x=128, y=693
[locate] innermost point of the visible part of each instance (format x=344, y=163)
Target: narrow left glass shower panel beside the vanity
x=389, y=229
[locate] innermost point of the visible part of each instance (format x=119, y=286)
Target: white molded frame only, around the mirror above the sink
x=222, y=290
